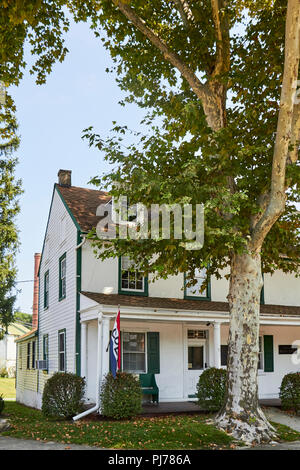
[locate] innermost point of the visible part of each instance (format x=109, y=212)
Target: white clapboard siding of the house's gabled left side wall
x=60, y=314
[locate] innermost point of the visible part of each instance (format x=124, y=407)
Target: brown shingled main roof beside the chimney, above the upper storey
x=83, y=203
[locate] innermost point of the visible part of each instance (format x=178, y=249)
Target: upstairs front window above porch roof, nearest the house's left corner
x=131, y=278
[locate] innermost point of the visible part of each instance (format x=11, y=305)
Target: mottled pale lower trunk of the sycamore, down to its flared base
x=241, y=414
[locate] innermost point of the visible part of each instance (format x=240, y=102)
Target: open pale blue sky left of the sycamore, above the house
x=51, y=117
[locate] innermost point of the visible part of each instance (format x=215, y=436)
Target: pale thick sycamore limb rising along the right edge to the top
x=287, y=128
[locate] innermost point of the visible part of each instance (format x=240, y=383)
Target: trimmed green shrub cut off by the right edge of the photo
x=290, y=392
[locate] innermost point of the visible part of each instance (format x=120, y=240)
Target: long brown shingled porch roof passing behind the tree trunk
x=182, y=304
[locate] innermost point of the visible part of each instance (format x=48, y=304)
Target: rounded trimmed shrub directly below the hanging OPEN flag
x=121, y=397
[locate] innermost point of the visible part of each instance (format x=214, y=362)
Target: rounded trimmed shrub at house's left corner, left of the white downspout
x=63, y=395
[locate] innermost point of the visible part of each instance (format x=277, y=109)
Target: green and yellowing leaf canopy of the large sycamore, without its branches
x=180, y=158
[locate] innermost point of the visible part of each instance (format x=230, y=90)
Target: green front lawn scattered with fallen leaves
x=159, y=433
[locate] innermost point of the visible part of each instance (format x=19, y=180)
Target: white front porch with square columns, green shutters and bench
x=176, y=346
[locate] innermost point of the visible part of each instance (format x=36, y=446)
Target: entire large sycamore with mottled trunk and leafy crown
x=218, y=82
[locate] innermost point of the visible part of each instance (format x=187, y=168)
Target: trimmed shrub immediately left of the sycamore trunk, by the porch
x=211, y=389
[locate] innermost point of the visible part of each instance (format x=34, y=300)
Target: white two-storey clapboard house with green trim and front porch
x=167, y=329
